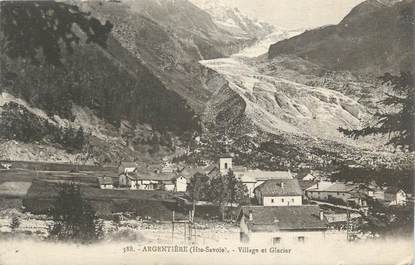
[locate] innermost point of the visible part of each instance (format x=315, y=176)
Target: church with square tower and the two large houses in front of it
x=279, y=215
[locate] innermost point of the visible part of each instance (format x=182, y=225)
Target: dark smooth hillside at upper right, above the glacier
x=376, y=37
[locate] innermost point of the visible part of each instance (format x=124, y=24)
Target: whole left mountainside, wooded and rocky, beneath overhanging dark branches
x=145, y=88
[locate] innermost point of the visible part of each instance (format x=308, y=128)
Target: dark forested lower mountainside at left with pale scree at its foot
x=94, y=90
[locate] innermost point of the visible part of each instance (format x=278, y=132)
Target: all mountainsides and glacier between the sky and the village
x=189, y=79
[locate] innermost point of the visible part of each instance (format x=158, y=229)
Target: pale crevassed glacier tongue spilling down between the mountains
x=278, y=105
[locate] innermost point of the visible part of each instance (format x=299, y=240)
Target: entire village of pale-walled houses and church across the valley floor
x=285, y=206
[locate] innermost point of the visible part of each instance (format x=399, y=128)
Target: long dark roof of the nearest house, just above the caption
x=266, y=218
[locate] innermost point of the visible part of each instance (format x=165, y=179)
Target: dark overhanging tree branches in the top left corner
x=32, y=26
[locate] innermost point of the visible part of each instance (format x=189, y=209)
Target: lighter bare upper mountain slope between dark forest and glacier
x=170, y=37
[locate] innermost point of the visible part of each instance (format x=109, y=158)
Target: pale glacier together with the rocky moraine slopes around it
x=284, y=113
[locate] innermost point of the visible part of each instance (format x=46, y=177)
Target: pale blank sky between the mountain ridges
x=294, y=14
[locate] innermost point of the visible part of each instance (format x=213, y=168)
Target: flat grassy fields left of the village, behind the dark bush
x=35, y=189
